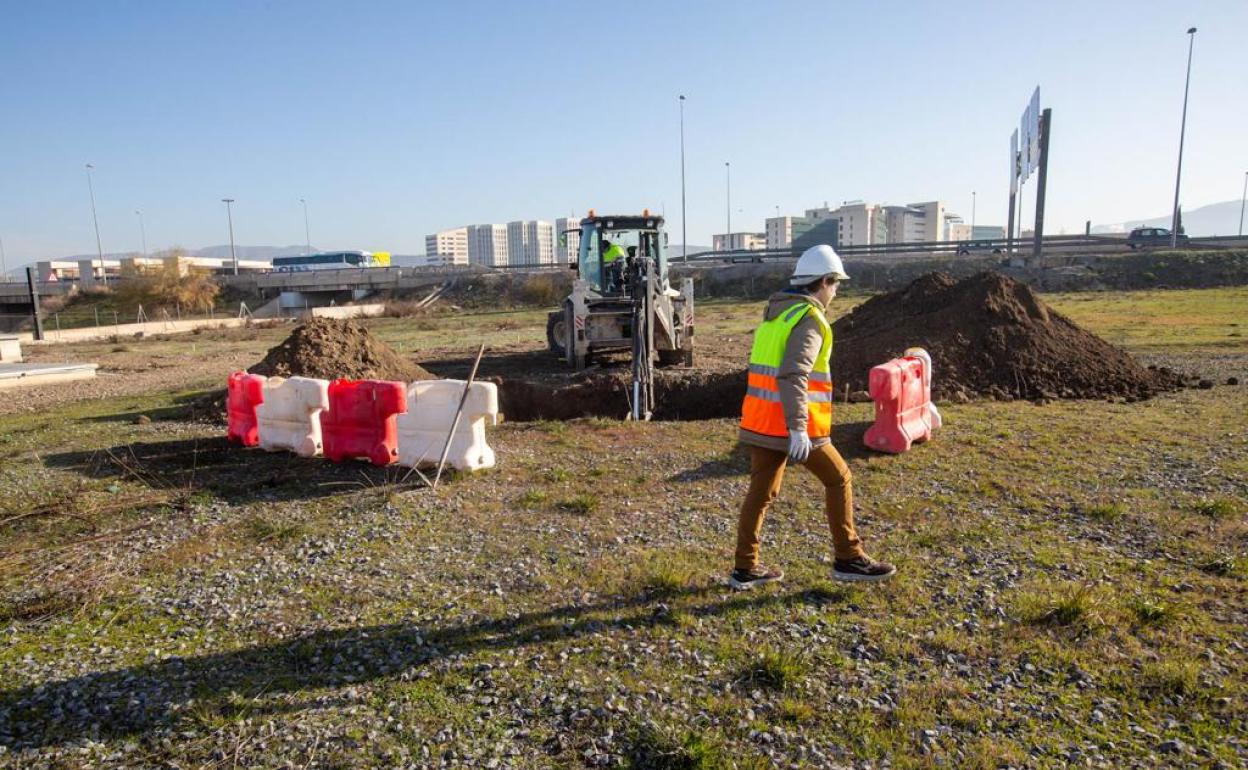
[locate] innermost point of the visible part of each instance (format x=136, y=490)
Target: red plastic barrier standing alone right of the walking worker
x=904, y=414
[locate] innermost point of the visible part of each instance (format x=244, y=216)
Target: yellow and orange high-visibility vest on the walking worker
x=762, y=411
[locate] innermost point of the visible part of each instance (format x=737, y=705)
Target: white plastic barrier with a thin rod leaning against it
x=431, y=410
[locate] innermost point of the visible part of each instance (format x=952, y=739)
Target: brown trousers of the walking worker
x=767, y=472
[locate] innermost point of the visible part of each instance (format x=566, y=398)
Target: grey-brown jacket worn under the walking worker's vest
x=799, y=360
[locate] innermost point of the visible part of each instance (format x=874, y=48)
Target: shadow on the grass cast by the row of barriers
x=232, y=474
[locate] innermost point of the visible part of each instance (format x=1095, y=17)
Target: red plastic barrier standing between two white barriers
x=361, y=421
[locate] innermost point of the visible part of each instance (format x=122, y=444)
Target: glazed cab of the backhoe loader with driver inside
x=615, y=246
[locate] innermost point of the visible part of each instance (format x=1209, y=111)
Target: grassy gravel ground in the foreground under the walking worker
x=1055, y=606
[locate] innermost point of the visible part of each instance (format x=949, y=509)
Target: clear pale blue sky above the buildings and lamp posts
x=399, y=119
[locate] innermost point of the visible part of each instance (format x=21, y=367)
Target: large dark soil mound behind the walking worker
x=989, y=336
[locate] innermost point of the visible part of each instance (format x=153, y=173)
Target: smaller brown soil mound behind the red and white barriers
x=330, y=349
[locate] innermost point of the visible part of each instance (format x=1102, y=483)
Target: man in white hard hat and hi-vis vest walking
x=788, y=417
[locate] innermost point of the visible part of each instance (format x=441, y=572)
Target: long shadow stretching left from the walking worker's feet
x=147, y=699
